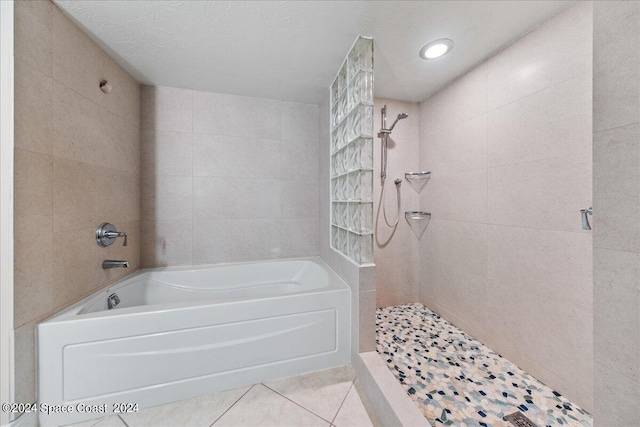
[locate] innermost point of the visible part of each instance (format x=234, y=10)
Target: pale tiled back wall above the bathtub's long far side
x=227, y=178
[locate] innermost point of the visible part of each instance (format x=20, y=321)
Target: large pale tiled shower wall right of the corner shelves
x=504, y=257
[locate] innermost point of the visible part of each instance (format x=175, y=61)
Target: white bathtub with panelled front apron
x=181, y=332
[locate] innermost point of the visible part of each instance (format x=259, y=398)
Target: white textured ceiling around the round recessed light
x=291, y=50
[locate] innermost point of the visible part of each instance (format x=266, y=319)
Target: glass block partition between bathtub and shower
x=352, y=154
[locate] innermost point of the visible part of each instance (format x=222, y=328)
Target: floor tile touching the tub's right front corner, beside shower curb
x=320, y=392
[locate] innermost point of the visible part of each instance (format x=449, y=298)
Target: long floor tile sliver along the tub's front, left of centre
x=199, y=411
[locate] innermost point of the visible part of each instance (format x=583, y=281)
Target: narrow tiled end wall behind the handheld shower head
x=396, y=250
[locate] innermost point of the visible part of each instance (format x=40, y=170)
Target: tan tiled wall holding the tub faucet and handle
x=76, y=166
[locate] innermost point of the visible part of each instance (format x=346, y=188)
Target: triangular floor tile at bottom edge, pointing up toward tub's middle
x=266, y=408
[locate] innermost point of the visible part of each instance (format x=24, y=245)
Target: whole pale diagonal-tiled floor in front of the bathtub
x=325, y=398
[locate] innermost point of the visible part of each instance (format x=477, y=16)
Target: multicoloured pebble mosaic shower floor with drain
x=455, y=380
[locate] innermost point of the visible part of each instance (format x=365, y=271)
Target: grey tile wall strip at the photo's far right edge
x=616, y=204
